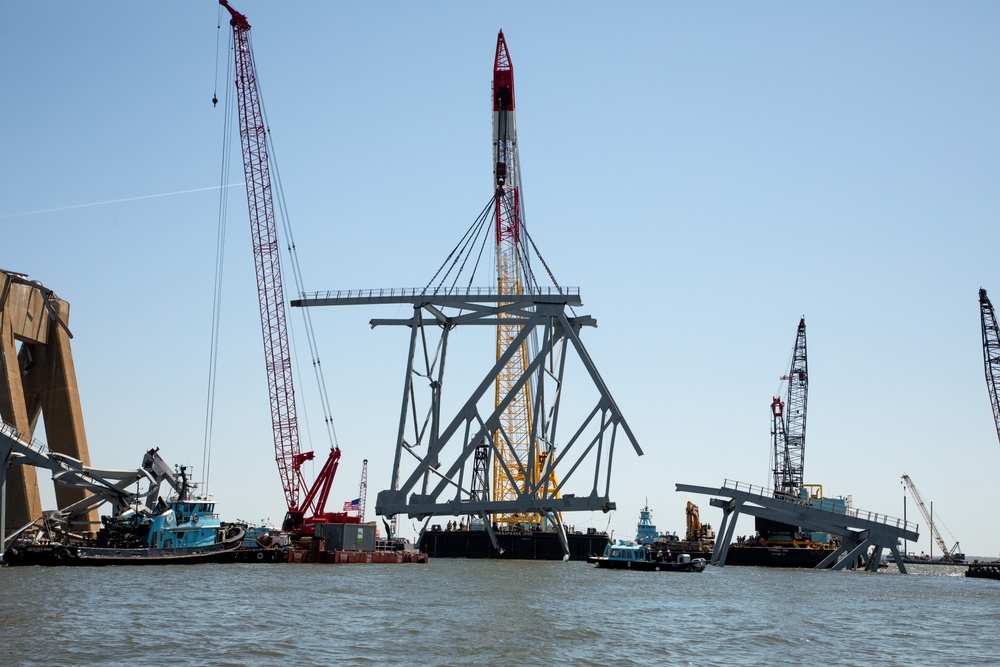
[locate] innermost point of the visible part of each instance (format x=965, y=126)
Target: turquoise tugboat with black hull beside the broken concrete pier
x=183, y=529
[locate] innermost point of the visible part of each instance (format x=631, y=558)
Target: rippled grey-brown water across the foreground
x=473, y=612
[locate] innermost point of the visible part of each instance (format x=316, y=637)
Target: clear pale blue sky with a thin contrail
x=705, y=173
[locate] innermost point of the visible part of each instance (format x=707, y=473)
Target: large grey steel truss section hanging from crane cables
x=434, y=469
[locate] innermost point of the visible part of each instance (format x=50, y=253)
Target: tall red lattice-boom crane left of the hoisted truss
x=302, y=516
